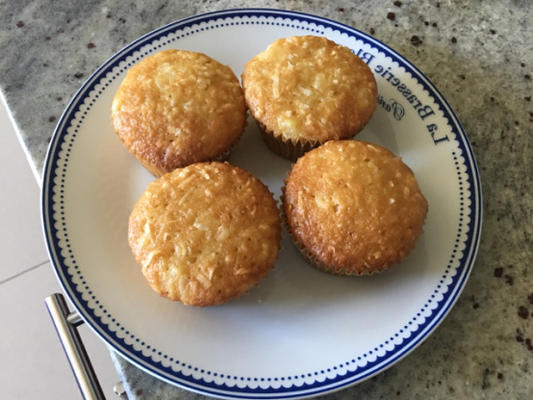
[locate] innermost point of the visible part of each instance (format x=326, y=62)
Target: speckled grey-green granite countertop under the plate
x=479, y=55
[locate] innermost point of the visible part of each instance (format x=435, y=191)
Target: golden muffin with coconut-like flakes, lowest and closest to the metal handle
x=205, y=233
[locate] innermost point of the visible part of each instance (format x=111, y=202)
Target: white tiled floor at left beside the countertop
x=32, y=362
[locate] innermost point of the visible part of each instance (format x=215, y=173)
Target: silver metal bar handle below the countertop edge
x=66, y=324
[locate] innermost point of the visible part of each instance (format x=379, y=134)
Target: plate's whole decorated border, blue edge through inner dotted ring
x=182, y=373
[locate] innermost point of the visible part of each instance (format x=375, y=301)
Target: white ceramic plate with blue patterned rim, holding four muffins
x=300, y=332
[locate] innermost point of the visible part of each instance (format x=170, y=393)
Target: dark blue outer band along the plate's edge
x=212, y=388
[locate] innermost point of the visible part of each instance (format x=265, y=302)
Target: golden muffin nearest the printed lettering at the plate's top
x=306, y=90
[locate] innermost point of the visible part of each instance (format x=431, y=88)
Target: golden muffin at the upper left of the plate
x=178, y=107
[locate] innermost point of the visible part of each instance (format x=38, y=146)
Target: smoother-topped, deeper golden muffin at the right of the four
x=353, y=207
